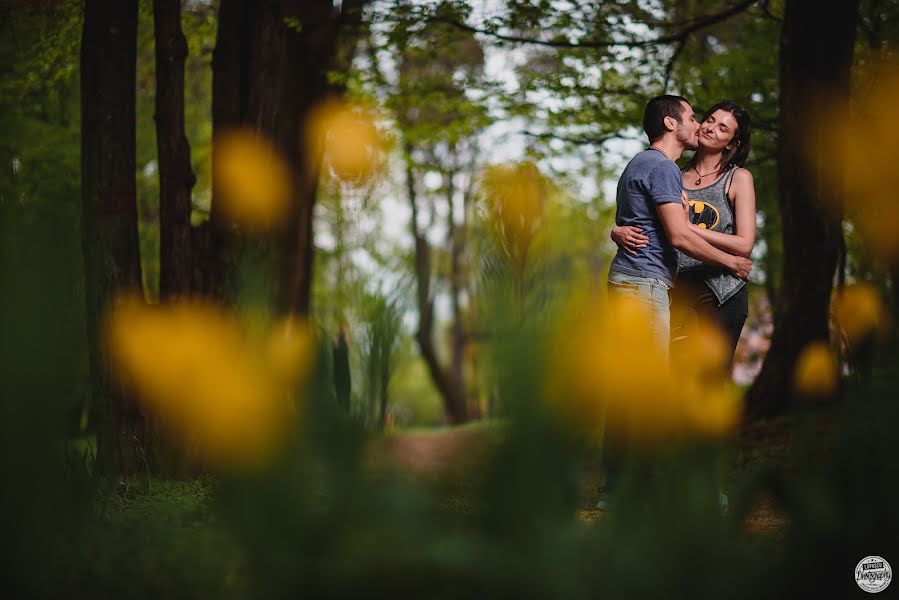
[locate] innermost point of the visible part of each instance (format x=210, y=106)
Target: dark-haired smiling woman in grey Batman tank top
x=721, y=199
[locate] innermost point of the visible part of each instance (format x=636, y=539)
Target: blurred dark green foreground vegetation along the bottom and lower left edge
x=336, y=515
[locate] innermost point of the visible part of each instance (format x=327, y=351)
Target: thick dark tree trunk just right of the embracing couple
x=817, y=43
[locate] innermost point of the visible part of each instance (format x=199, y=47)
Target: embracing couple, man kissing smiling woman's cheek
x=692, y=228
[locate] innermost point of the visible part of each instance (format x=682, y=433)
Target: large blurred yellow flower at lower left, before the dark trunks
x=192, y=367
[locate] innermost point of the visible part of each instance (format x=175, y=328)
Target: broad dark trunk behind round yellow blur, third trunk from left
x=269, y=69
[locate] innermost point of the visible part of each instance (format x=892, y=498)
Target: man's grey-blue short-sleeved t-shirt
x=650, y=178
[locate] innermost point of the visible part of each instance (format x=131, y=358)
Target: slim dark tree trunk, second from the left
x=176, y=178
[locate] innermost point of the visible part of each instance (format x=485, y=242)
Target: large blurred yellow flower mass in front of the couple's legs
x=606, y=370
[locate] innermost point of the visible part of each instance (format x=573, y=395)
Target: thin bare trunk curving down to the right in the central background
x=453, y=397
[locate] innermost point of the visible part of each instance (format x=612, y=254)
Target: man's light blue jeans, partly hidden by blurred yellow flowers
x=654, y=294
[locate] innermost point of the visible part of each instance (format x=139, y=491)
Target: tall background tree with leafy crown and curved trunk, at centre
x=438, y=65
